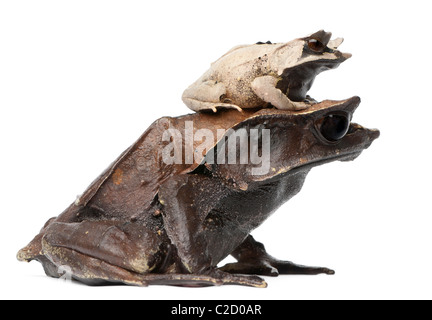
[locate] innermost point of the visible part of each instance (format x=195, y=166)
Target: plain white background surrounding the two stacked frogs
x=81, y=80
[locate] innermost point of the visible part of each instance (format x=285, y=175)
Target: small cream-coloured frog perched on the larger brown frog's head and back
x=280, y=74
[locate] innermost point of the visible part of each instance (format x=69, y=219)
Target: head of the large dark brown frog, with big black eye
x=326, y=134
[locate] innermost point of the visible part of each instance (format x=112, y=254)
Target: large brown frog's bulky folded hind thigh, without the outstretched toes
x=97, y=252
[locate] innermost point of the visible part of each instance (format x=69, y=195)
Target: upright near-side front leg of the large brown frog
x=198, y=242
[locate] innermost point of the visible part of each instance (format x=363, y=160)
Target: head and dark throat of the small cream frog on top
x=319, y=54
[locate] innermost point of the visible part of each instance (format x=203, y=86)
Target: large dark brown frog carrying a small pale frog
x=147, y=220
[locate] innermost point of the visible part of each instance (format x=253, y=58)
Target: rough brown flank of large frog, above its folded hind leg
x=128, y=187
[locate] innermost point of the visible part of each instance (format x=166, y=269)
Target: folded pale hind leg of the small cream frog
x=207, y=95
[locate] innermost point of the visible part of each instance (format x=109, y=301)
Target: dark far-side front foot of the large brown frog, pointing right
x=253, y=259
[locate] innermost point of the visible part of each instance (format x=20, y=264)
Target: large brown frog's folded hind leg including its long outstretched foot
x=109, y=252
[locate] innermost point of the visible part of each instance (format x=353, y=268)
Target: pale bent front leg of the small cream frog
x=265, y=88
